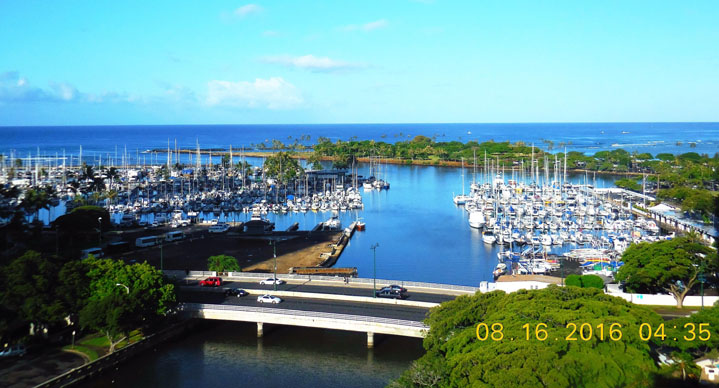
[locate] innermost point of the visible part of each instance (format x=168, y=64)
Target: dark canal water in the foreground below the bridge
x=229, y=354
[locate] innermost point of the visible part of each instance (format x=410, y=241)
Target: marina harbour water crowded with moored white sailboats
x=513, y=220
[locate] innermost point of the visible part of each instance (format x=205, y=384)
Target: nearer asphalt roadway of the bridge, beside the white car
x=216, y=296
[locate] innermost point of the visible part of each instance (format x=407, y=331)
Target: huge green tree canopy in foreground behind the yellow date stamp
x=457, y=358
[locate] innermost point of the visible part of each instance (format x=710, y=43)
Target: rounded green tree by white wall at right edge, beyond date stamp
x=670, y=266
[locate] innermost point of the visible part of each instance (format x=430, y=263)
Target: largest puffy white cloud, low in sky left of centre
x=272, y=93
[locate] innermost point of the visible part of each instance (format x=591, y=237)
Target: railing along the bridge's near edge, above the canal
x=303, y=313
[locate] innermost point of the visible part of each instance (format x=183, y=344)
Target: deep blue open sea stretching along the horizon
x=584, y=137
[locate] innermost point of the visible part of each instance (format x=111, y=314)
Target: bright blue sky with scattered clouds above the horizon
x=169, y=62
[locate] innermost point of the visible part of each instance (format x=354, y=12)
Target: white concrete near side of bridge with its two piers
x=324, y=320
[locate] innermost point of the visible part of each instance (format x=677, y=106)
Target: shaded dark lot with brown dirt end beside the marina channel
x=295, y=249
